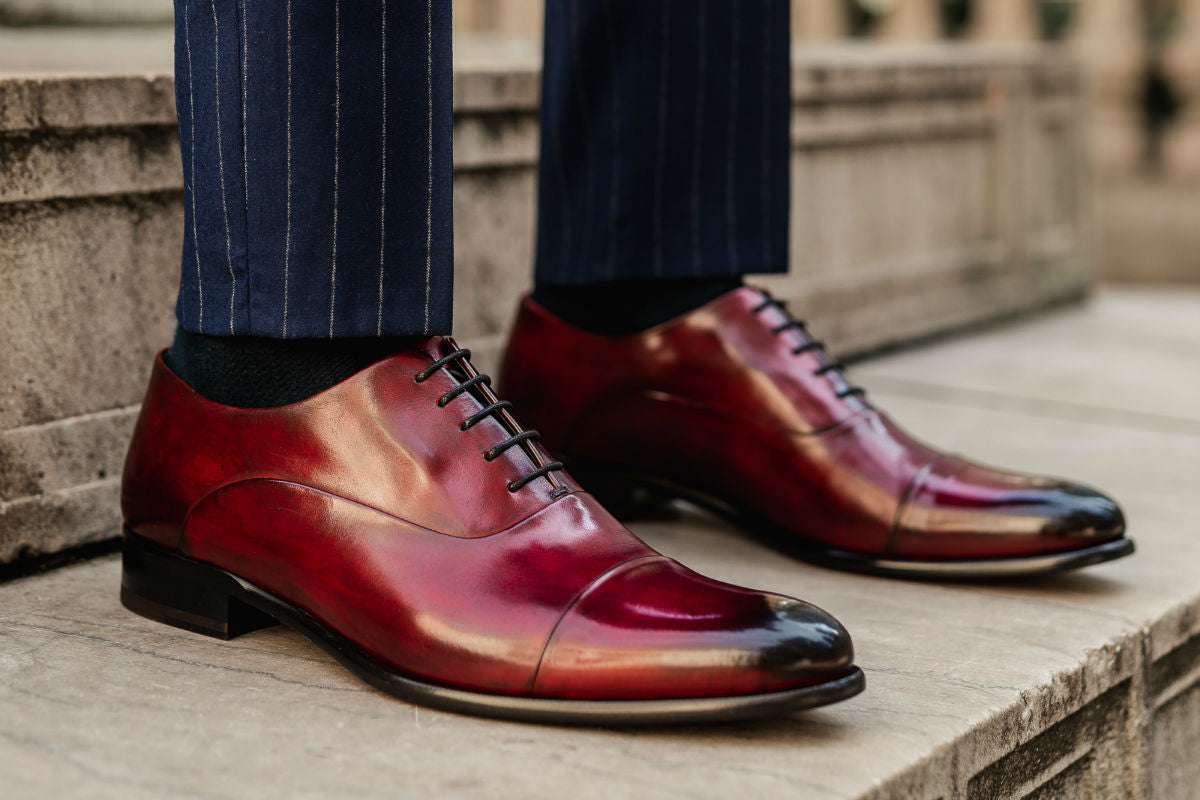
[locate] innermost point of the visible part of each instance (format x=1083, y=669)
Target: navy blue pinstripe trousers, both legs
x=316, y=140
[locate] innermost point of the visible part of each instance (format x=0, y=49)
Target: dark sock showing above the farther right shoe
x=622, y=308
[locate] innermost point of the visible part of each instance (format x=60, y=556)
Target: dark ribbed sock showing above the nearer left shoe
x=253, y=372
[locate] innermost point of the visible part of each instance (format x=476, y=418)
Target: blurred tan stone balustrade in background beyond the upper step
x=1143, y=62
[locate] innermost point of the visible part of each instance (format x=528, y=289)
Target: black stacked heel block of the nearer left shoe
x=173, y=590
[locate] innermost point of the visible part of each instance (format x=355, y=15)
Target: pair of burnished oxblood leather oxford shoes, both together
x=405, y=521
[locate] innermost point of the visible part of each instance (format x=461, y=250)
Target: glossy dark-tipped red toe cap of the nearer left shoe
x=655, y=629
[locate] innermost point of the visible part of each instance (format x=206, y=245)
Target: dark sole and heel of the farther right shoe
x=632, y=497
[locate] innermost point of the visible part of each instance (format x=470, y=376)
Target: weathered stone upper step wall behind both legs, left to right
x=934, y=188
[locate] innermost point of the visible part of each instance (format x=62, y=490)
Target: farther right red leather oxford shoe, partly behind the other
x=736, y=408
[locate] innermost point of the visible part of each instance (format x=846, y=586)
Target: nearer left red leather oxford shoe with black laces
x=404, y=522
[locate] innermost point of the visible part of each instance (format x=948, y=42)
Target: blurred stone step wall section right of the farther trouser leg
x=937, y=191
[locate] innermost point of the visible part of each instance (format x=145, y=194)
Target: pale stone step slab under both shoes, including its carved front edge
x=1084, y=685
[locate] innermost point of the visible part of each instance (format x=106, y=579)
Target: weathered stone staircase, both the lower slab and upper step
x=937, y=190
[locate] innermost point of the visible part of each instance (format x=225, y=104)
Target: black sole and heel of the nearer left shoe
x=167, y=587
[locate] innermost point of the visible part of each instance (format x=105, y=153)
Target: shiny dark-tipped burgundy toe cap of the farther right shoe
x=957, y=509
